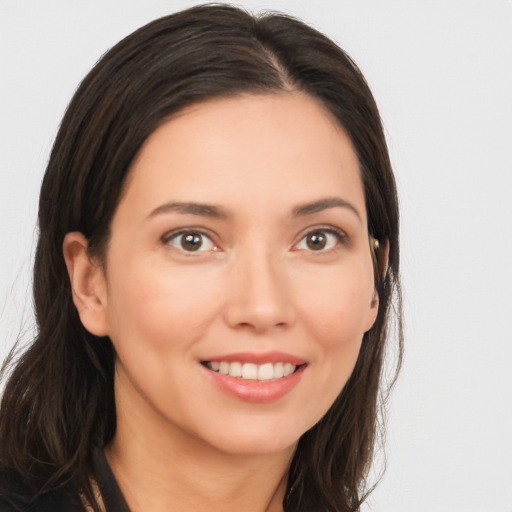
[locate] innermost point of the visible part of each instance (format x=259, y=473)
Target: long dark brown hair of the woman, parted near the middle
x=59, y=399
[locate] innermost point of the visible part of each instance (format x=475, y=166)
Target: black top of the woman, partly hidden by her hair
x=61, y=501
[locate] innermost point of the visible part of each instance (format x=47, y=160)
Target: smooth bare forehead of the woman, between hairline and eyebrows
x=273, y=148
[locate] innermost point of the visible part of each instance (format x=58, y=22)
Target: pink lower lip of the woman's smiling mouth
x=256, y=391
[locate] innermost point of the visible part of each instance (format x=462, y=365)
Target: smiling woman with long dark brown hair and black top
x=217, y=259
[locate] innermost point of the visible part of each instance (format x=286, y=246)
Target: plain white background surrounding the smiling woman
x=442, y=75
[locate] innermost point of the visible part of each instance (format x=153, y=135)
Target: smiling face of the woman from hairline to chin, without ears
x=238, y=279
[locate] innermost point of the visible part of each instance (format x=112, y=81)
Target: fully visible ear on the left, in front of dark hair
x=88, y=284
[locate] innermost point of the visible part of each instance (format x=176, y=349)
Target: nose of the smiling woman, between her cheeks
x=258, y=296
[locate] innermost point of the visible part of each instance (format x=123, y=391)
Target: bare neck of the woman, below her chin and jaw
x=161, y=468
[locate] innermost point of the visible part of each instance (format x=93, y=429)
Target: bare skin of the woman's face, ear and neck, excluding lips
x=254, y=286
